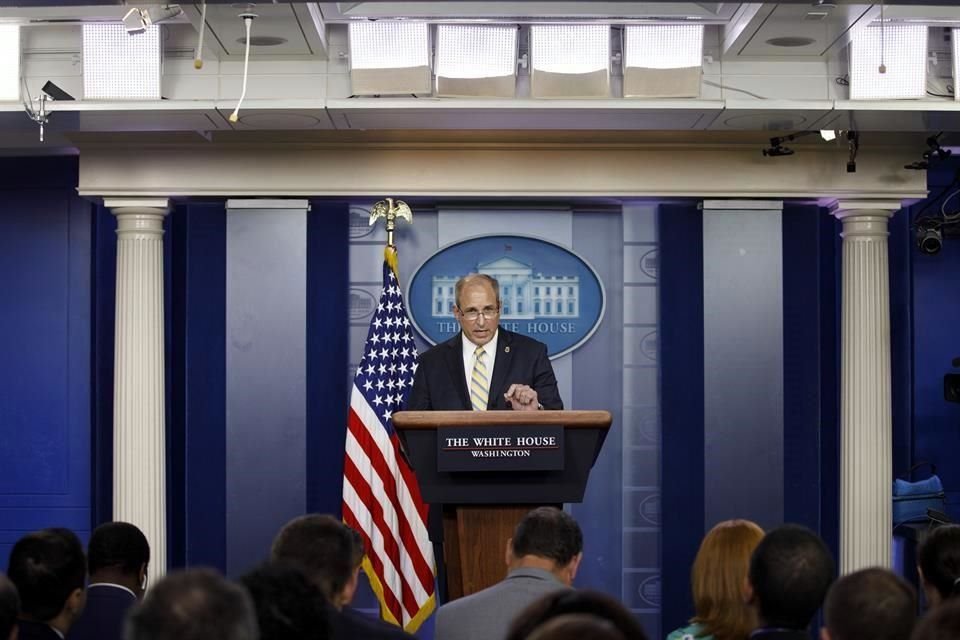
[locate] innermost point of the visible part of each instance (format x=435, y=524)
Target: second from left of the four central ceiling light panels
x=476, y=60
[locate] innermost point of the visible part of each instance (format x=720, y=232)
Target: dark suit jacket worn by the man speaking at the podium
x=440, y=384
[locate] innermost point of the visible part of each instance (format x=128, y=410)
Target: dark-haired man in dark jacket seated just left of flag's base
x=330, y=554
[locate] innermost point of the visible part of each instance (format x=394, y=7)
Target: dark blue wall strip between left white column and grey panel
x=198, y=422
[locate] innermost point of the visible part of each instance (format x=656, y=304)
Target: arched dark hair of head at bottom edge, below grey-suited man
x=575, y=602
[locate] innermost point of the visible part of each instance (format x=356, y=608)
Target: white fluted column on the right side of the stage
x=865, y=394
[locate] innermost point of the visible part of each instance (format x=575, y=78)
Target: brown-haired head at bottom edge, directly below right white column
x=871, y=604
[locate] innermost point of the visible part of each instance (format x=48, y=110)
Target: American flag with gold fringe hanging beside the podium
x=381, y=497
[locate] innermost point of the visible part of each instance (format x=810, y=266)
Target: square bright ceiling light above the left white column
x=120, y=66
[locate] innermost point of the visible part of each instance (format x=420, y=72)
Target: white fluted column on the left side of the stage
x=139, y=434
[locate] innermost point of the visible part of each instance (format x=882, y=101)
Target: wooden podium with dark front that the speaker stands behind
x=482, y=507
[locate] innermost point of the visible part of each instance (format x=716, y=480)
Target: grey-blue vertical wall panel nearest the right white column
x=743, y=372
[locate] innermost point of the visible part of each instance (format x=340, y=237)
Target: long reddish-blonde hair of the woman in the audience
x=718, y=575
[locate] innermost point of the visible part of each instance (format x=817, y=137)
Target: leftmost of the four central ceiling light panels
x=389, y=57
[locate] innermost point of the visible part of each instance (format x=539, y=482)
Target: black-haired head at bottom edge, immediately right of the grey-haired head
x=288, y=605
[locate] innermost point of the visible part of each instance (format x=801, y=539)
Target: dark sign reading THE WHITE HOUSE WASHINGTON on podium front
x=498, y=448
